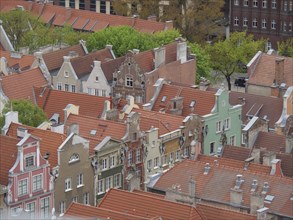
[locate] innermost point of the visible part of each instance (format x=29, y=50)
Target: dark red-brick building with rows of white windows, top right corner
x=268, y=19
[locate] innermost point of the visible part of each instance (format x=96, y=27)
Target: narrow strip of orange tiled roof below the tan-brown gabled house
x=76, y=210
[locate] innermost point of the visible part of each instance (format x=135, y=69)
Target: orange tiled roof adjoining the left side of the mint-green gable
x=205, y=100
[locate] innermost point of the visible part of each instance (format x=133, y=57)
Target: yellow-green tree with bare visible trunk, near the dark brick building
x=232, y=55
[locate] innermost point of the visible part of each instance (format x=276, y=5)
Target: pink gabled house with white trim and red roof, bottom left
x=28, y=187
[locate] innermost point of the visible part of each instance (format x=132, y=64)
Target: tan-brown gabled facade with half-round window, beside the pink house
x=74, y=174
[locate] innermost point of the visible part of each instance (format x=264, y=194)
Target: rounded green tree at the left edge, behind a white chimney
x=28, y=113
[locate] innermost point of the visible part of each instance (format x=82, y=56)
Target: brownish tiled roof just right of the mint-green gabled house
x=261, y=106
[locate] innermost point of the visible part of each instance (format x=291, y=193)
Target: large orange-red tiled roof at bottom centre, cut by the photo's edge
x=143, y=205
